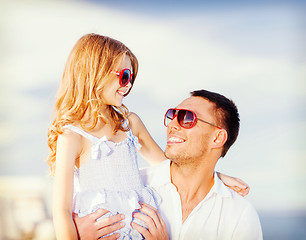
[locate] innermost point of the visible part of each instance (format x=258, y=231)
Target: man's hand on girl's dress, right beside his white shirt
x=157, y=229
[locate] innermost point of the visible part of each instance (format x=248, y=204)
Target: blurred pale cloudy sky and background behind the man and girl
x=253, y=53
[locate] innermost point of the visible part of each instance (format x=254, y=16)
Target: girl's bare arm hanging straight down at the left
x=68, y=149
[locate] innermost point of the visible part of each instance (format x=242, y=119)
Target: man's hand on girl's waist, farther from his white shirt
x=90, y=229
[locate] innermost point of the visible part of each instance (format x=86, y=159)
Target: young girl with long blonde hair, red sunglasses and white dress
x=93, y=138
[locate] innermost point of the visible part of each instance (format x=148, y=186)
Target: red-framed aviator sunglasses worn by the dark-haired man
x=185, y=118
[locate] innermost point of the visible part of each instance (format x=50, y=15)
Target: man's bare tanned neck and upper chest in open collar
x=193, y=183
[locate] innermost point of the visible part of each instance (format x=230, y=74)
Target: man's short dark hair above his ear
x=227, y=115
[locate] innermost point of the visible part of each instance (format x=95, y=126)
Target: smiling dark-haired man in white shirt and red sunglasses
x=195, y=203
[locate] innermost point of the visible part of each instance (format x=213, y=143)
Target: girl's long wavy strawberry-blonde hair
x=86, y=73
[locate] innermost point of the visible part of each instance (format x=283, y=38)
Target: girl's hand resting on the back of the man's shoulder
x=236, y=184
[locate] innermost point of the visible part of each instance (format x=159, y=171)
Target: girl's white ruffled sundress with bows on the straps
x=110, y=179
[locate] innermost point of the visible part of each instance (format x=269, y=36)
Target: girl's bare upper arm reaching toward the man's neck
x=150, y=151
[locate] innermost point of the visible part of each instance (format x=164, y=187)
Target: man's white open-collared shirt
x=222, y=214
